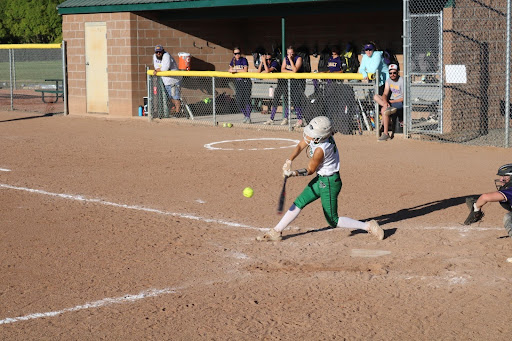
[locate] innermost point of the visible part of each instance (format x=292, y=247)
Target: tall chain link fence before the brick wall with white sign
x=455, y=60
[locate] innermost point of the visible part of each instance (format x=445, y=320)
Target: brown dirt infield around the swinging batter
x=127, y=229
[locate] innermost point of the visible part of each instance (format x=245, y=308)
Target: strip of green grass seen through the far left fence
x=32, y=72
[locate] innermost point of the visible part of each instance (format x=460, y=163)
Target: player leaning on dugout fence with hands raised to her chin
x=293, y=64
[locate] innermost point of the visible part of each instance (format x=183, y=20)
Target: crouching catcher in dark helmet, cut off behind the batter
x=503, y=195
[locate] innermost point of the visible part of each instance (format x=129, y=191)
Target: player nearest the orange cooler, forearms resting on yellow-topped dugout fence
x=243, y=86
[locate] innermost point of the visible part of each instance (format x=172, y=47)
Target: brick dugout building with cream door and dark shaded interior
x=110, y=43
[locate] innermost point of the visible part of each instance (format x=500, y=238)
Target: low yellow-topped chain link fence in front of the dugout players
x=220, y=98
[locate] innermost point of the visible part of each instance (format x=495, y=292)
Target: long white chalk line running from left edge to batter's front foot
x=131, y=207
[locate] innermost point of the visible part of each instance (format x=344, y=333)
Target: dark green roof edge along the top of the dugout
x=109, y=6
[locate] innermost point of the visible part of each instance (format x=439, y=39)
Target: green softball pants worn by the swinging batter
x=327, y=188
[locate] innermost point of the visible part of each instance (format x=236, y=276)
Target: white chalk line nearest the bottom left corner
x=96, y=304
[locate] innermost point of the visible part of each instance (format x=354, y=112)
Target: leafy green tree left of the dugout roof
x=30, y=21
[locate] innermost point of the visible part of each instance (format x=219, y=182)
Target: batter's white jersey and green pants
x=327, y=183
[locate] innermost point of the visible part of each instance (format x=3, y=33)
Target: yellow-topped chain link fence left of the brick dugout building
x=32, y=78
